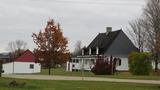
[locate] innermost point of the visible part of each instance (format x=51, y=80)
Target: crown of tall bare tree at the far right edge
x=152, y=24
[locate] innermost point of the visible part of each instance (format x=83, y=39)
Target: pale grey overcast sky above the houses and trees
x=79, y=19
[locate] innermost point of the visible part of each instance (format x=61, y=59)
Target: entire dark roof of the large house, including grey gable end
x=113, y=43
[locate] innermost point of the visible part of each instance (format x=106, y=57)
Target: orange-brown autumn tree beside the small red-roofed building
x=51, y=45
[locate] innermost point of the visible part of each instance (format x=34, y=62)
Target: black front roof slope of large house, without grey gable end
x=103, y=40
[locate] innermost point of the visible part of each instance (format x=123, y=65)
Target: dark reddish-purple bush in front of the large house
x=103, y=67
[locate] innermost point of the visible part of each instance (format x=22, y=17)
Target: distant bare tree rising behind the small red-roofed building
x=16, y=48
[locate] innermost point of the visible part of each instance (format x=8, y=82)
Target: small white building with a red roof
x=26, y=63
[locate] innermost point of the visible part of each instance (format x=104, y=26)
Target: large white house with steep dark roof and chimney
x=110, y=43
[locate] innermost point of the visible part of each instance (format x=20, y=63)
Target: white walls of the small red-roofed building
x=21, y=67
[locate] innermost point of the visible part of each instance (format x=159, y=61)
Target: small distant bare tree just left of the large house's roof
x=78, y=47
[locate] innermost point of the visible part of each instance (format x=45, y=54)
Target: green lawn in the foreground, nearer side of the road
x=73, y=85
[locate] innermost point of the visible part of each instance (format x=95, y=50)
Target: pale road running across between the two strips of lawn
x=53, y=77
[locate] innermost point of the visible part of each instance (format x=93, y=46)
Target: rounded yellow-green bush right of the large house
x=140, y=64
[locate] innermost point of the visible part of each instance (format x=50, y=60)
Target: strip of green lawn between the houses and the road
x=120, y=75
